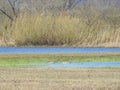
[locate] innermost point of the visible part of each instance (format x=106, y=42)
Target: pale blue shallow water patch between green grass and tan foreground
x=76, y=65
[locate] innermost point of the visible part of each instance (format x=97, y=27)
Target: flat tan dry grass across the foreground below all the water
x=60, y=79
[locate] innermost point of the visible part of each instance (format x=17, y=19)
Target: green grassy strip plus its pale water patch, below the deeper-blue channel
x=60, y=61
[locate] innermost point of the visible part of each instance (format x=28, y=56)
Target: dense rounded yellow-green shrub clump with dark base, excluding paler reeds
x=45, y=30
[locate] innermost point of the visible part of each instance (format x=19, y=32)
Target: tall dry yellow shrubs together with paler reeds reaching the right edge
x=63, y=30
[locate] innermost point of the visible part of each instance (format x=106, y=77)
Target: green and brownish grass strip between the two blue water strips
x=18, y=60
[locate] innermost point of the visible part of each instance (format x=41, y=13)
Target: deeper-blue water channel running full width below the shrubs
x=58, y=50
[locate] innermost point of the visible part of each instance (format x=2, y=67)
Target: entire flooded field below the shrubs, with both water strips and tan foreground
x=24, y=71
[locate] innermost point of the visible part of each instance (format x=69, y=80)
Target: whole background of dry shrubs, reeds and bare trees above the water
x=59, y=24
